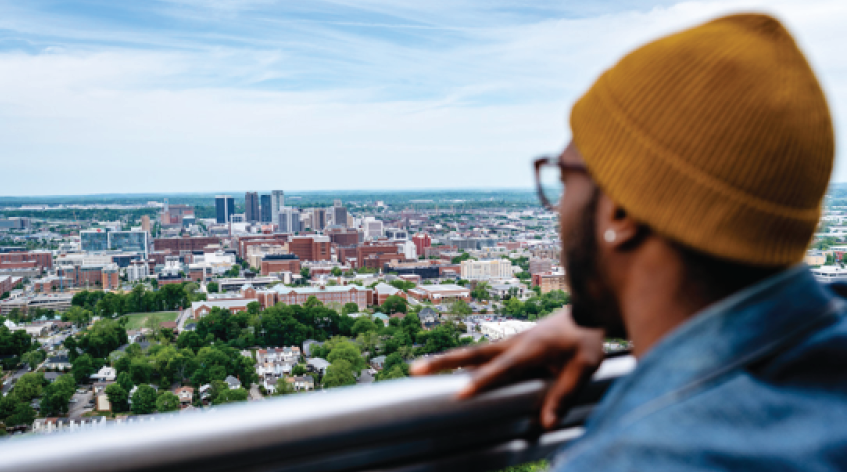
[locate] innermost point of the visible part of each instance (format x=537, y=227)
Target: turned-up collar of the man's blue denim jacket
x=737, y=330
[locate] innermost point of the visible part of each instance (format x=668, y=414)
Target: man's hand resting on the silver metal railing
x=556, y=346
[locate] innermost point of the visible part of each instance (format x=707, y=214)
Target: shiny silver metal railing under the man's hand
x=409, y=424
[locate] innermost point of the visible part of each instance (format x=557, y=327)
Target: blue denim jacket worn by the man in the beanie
x=755, y=382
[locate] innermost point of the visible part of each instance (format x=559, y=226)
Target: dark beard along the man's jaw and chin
x=593, y=303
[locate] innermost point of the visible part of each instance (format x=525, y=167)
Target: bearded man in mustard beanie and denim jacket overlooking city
x=693, y=183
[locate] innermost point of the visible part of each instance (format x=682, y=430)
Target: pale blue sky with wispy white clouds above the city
x=175, y=96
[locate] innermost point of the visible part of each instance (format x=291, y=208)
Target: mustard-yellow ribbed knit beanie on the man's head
x=717, y=137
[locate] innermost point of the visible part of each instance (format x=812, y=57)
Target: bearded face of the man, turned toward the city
x=593, y=303
